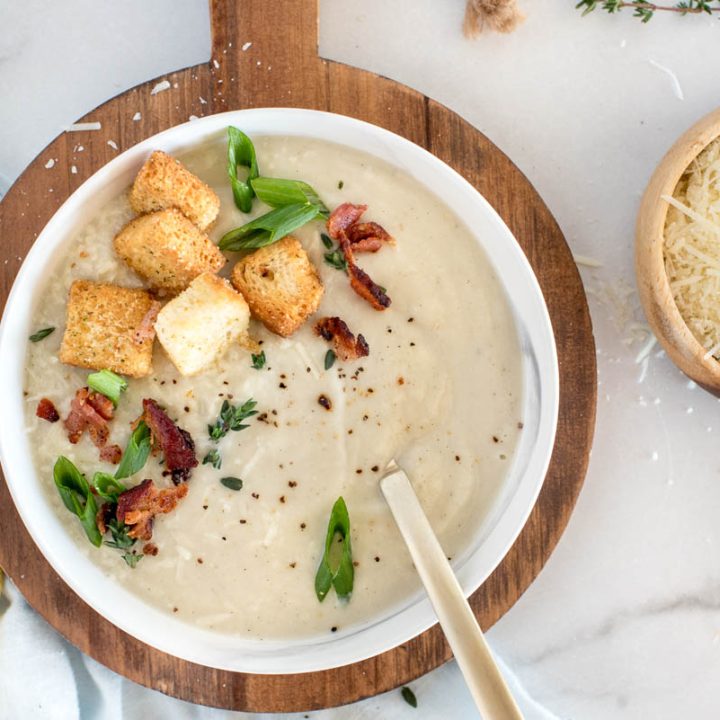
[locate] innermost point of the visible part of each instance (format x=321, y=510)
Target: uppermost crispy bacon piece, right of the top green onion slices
x=353, y=237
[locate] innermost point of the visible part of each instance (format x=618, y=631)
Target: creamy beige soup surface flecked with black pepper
x=440, y=391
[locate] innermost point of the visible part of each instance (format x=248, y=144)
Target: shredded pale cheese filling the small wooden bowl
x=692, y=247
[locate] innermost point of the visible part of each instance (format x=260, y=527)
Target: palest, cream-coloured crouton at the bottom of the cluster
x=198, y=326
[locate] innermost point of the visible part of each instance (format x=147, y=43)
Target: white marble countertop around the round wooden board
x=624, y=621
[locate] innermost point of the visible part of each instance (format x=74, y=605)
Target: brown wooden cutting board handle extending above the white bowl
x=280, y=38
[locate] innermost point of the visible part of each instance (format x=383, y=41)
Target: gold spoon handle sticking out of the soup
x=487, y=686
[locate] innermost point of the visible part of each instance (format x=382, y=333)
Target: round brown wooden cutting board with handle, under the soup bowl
x=282, y=68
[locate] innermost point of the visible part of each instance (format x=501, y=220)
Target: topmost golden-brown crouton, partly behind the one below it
x=163, y=182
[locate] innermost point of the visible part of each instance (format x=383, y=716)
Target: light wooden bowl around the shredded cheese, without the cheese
x=653, y=285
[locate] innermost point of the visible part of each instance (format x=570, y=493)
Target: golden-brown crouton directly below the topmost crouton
x=167, y=250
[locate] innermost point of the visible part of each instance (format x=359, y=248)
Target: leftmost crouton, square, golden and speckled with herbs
x=100, y=333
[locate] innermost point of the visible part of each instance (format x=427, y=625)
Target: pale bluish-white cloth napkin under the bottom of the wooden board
x=43, y=677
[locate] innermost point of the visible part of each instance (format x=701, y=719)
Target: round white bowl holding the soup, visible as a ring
x=493, y=539
